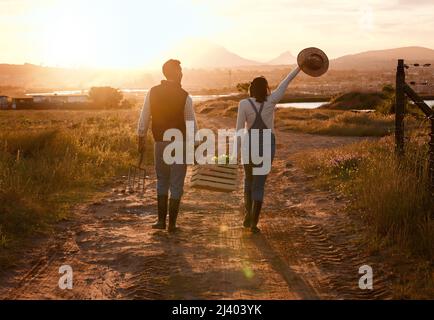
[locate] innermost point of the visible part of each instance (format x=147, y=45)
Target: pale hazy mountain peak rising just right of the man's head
x=206, y=55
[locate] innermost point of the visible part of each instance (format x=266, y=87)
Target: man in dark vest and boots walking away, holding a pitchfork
x=169, y=106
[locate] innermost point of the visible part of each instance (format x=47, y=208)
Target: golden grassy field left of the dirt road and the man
x=50, y=160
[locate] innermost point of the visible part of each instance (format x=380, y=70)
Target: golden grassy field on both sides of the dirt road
x=51, y=160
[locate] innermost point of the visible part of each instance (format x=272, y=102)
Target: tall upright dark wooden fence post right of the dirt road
x=400, y=108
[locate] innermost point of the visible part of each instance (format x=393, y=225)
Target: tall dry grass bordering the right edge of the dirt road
x=392, y=196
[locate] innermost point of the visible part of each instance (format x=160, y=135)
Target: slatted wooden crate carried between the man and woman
x=223, y=178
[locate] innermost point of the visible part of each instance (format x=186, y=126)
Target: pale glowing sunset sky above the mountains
x=135, y=33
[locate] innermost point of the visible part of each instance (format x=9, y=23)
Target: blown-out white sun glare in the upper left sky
x=114, y=34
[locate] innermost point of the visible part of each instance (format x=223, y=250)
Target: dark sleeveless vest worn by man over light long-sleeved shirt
x=167, y=108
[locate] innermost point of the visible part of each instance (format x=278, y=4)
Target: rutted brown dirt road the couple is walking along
x=307, y=248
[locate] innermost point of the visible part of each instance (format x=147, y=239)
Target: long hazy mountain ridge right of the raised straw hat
x=382, y=59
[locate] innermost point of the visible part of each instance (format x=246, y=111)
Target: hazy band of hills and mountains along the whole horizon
x=206, y=67
